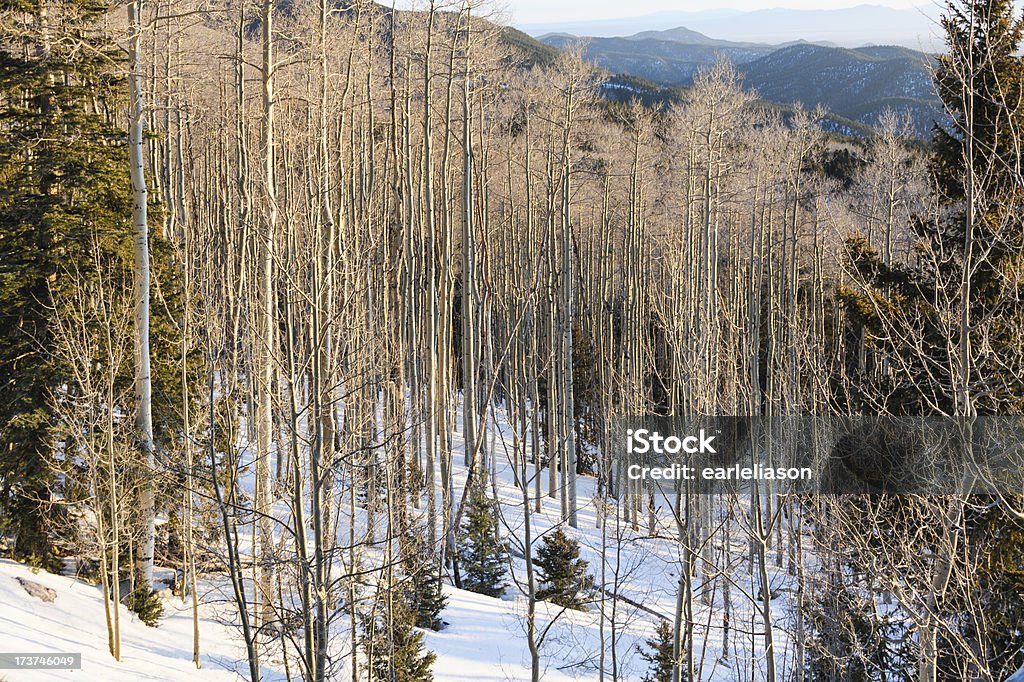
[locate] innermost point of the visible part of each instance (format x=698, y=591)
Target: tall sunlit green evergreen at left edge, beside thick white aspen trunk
x=64, y=188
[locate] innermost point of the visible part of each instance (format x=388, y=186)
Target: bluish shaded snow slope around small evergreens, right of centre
x=486, y=640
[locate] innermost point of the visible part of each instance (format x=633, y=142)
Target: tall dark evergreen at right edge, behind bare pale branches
x=969, y=260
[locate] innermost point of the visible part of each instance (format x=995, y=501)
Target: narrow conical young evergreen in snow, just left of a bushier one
x=482, y=555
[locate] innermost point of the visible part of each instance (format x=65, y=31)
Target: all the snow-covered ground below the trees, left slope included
x=485, y=638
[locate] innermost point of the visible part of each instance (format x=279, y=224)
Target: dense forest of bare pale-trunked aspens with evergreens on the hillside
x=273, y=273
